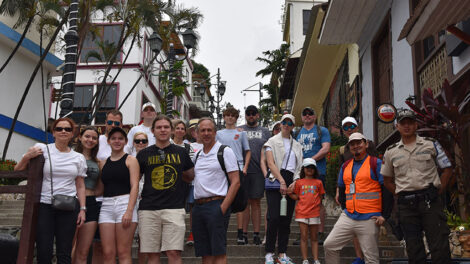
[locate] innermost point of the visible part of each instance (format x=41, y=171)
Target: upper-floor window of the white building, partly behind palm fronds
x=106, y=37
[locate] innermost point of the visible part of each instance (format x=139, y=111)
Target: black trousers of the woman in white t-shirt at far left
x=56, y=224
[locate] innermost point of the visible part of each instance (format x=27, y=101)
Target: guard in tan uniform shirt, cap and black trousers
x=410, y=171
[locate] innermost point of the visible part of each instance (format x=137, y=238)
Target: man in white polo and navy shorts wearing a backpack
x=213, y=195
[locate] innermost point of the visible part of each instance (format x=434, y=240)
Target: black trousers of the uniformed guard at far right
x=415, y=217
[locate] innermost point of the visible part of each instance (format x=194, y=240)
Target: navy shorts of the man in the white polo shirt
x=210, y=229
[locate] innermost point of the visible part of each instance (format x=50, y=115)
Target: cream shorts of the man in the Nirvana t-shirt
x=161, y=230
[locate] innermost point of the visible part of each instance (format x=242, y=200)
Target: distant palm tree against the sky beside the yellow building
x=275, y=61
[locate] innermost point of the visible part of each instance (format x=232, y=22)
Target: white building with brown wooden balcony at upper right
x=393, y=68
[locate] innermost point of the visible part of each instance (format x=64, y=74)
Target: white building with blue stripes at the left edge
x=29, y=128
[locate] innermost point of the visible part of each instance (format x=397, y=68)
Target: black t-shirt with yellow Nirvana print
x=163, y=169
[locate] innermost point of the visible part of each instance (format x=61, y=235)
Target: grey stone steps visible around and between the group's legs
x=11, y=214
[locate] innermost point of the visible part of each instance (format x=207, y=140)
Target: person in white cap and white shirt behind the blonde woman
x=148, y=115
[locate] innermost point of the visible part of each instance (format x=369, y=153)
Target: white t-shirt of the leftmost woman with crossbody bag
x=66, y=166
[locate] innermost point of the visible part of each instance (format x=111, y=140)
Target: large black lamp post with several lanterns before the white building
x=156, y=44
